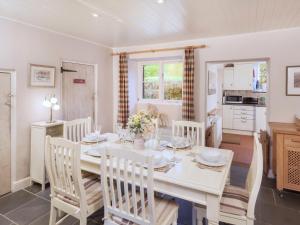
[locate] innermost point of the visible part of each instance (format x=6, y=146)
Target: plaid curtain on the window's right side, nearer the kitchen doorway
x=188, y=86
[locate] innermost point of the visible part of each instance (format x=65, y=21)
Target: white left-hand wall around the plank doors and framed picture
x=21, y=45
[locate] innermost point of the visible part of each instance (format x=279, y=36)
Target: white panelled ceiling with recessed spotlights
x=134, y=22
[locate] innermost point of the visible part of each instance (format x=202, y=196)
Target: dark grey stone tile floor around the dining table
x=31, y=206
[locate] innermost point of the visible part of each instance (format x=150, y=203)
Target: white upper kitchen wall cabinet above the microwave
x=239, y=77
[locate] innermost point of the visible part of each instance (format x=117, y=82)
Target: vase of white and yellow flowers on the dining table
x=140, y=125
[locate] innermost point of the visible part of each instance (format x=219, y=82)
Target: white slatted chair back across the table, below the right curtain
x=189, y=129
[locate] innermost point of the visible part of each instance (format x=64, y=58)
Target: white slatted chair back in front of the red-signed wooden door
x=75, y=130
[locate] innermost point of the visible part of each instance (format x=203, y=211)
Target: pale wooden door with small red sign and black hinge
x=78, y=91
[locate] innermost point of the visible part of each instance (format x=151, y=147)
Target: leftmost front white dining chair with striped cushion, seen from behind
x=73, y=192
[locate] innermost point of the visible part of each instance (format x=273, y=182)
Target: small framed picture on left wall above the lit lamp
x=42, y=76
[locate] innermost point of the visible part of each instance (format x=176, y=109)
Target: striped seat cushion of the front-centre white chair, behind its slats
x=164, y=212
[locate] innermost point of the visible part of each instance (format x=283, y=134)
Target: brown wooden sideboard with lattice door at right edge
x=286, y=155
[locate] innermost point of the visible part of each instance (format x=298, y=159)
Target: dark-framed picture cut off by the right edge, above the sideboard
x=293, y=80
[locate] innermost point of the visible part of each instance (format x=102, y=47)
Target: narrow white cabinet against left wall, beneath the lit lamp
x=39, y=131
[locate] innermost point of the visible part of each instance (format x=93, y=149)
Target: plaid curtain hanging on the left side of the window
x=123, y=111
